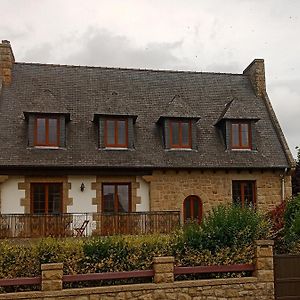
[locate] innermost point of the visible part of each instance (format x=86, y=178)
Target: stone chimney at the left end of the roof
x=6, y=62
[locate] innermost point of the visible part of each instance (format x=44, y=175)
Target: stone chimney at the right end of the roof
x=256, y=73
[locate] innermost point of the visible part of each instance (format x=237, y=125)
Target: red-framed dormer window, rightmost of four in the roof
x=240, y=136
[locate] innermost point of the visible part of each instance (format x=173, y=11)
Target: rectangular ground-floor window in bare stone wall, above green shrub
x=243, y=193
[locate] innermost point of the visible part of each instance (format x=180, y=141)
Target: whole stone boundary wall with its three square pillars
x=261, y=286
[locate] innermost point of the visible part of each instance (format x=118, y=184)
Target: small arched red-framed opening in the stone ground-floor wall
x=192, y=209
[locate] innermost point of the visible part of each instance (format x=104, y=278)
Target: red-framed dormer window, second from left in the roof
x=116, y=133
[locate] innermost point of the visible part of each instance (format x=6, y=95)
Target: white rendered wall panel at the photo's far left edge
x=11, y=196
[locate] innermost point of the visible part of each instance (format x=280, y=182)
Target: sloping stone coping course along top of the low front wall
x=127, y=288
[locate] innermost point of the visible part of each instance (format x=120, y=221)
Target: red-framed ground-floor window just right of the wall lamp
x=116, y=197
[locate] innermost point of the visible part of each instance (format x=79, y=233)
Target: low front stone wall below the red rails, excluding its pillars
x=225, y=289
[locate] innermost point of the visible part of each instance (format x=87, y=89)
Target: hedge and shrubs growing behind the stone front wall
x=225, y=237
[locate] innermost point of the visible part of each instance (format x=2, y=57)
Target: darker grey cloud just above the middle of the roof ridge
x=102, y=48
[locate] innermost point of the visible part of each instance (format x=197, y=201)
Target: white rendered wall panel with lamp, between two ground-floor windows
x=82, y=201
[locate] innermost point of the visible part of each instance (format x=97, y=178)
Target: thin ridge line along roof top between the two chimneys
x=128, y=69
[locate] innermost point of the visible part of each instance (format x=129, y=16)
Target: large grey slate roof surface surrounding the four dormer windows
x=83, y=92
